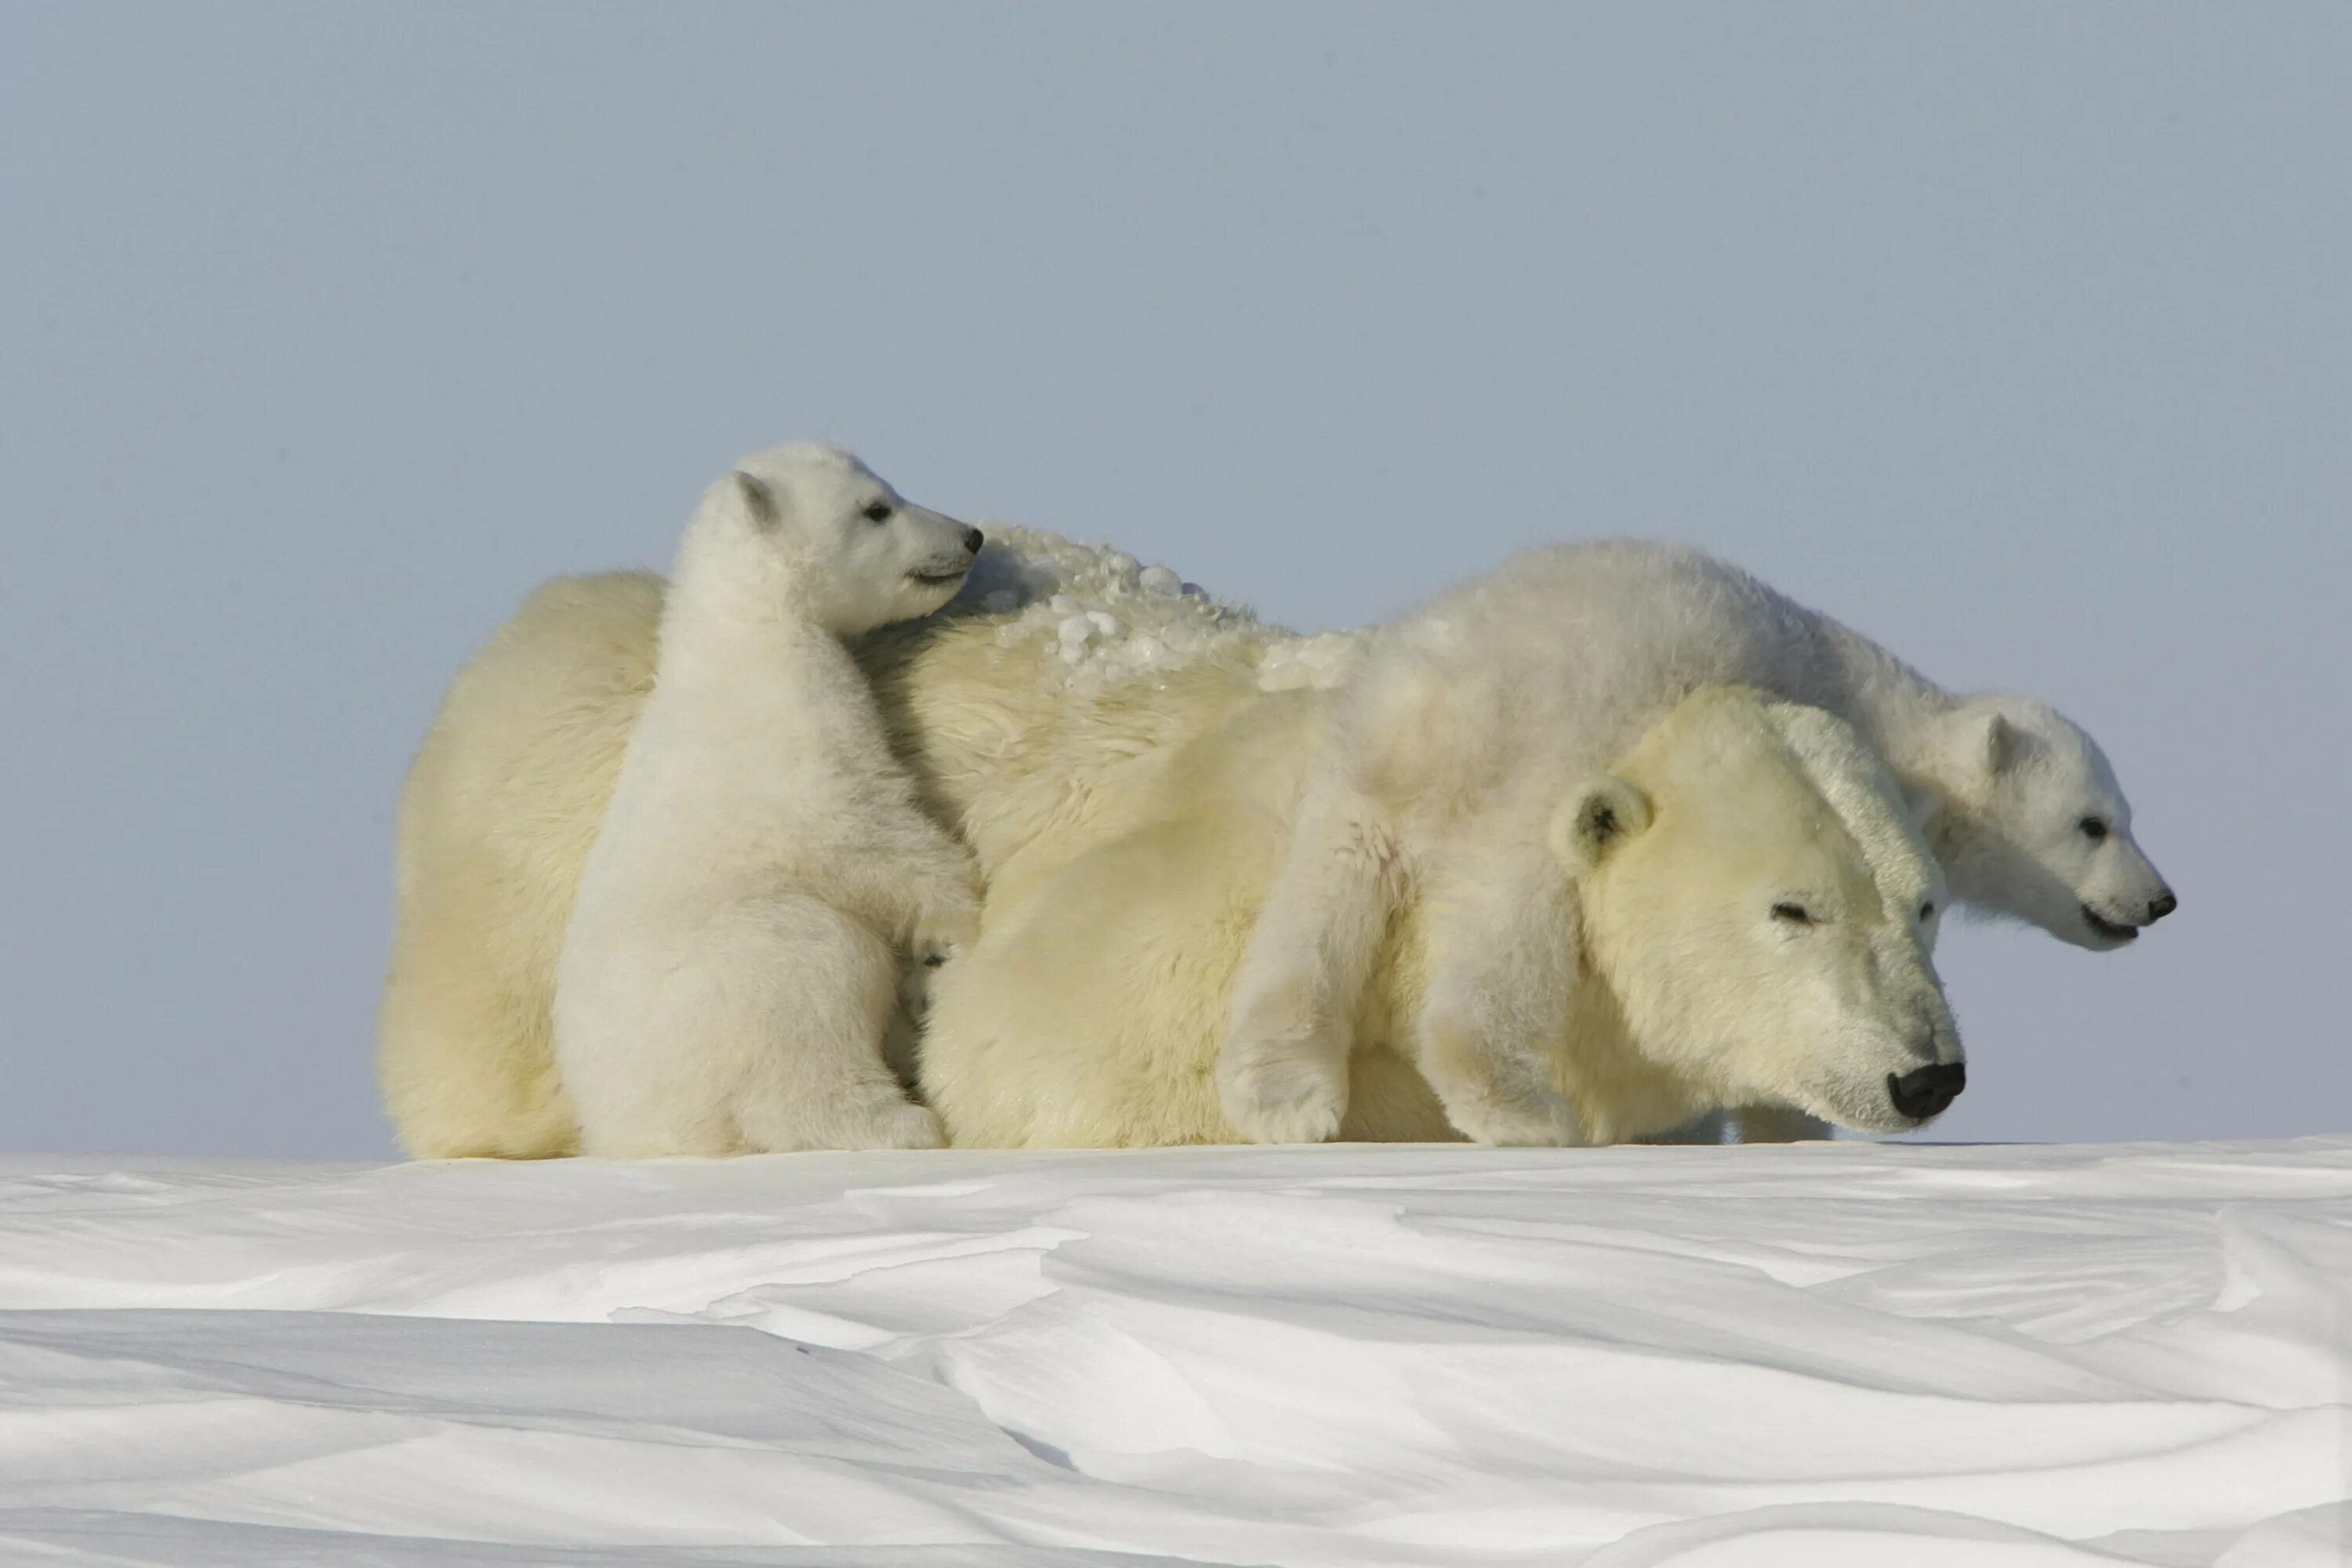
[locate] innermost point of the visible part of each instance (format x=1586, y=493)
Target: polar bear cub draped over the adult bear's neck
x=1561, y=659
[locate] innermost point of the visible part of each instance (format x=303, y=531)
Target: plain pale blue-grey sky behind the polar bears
x=2017, y=335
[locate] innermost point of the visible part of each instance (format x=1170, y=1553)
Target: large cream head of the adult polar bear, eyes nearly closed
x=1763, y=906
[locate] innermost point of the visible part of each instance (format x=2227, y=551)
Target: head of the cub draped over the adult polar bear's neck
x=2036, y=826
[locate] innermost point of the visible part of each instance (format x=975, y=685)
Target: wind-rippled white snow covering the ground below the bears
x=1612, y=1358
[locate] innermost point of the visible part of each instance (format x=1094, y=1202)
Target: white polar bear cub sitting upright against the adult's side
x=735, y=953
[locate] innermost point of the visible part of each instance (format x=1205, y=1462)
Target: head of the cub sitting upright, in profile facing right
x=813, y=528
